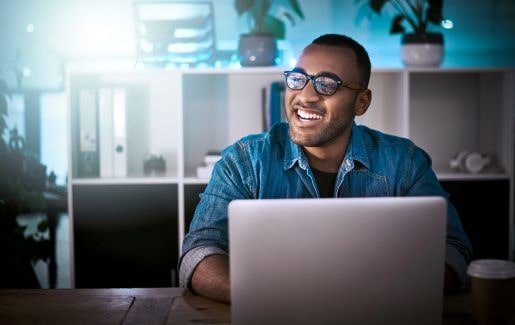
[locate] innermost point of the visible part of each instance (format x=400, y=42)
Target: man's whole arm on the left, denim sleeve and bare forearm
x=204, y=265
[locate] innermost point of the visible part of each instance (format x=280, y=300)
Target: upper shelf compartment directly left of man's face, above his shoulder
x=219, y=109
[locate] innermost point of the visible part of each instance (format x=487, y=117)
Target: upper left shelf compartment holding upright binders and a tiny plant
x=152, y=124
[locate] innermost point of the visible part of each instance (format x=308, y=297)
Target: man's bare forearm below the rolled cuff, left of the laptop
x=211, y=278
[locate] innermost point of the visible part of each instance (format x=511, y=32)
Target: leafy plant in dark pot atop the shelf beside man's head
x=266, y=20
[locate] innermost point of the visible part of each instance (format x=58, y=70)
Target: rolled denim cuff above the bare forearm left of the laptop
x=190, y=261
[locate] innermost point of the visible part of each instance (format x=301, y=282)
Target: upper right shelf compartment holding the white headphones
x=460, y=110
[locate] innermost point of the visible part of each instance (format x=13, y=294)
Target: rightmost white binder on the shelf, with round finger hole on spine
x=119, y=132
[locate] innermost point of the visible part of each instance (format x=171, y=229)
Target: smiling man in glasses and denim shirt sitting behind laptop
x=320, y=152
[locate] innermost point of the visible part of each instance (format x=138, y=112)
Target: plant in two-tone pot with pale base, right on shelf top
x=420, y=45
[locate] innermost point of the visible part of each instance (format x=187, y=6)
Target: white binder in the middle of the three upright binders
x=105, y=121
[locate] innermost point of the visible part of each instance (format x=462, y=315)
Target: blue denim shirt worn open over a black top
x=270, y=165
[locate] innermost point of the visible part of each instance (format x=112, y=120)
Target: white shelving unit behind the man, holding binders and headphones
x=181, y=114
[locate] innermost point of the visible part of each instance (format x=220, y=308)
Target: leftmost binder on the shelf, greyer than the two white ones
x=88, y=164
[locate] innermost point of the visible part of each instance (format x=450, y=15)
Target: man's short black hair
x=362, y=58
